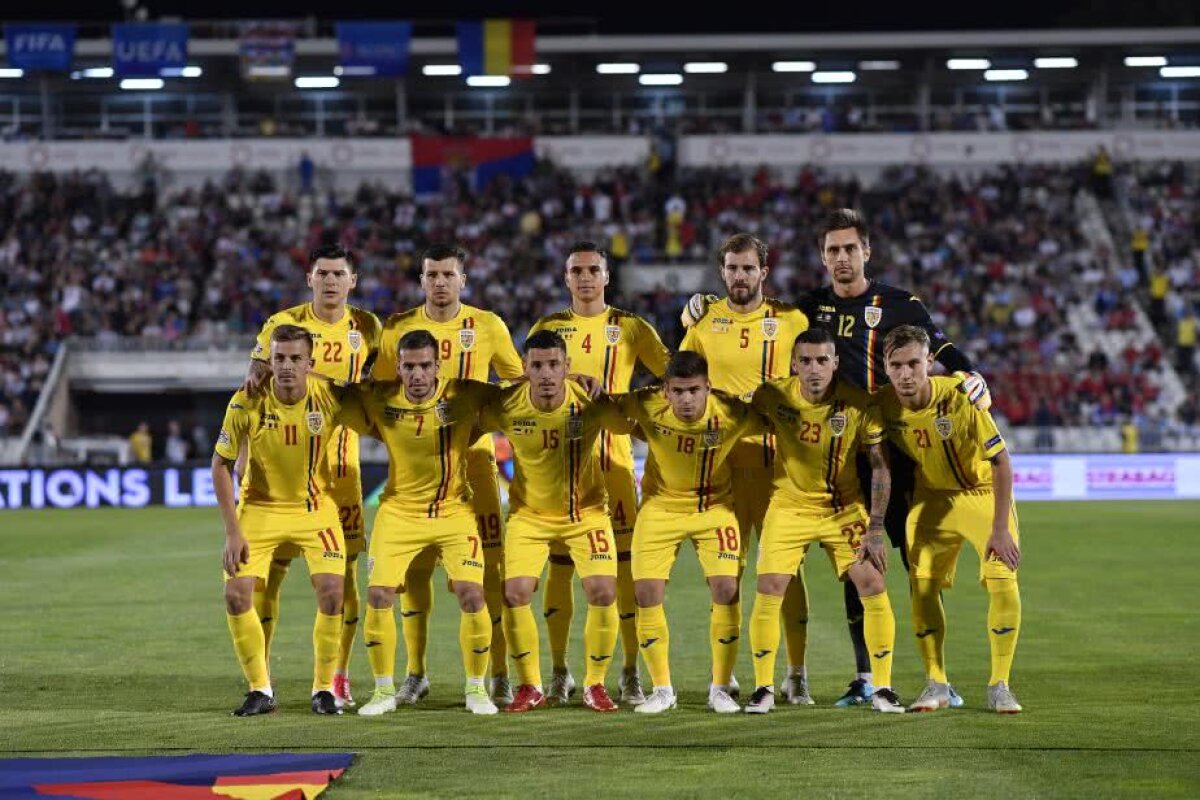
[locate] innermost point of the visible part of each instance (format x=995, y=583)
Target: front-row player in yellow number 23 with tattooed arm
x=820, y=423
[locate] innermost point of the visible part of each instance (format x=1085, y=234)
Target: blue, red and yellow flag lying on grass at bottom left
x=283, y=777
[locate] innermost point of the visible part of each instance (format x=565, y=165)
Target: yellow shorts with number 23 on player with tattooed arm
x=790, y=530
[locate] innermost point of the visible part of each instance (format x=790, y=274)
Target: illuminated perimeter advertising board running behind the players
x=1165, y=477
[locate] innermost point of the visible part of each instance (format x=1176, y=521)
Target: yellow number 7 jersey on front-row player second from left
x=427, y=443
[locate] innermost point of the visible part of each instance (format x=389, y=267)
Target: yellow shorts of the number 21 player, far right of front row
x=939, y=522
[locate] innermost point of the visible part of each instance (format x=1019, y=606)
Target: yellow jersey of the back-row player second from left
x=470, y=345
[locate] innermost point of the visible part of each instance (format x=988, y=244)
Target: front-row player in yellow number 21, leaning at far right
x=957, y=498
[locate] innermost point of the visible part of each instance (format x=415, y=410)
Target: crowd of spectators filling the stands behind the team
x=998, y=257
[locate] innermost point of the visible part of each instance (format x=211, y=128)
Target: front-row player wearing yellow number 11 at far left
x=287, y=431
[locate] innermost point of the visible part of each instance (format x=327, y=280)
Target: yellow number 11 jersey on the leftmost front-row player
x=287, y=444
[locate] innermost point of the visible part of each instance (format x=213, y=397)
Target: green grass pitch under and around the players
x=113, y=641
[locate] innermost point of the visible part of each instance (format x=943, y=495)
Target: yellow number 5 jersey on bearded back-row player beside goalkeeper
x=745, y=351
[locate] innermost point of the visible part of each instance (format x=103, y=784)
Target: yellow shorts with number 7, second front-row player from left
x=398, y=539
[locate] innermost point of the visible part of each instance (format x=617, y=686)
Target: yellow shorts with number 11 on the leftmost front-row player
x=316, y=536
